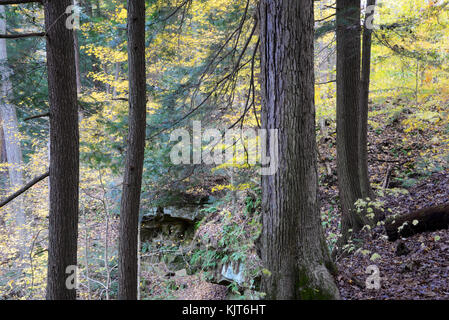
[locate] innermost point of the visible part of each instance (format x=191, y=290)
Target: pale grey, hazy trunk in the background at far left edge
x=10, y=129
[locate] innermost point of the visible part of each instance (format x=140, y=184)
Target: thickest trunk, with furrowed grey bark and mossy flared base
x=294, y=249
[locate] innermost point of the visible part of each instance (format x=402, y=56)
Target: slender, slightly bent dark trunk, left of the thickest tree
x=130, y=203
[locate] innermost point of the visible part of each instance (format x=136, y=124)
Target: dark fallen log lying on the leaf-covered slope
x=427, y=219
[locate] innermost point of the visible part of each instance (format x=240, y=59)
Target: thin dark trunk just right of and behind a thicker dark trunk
x=364, y=98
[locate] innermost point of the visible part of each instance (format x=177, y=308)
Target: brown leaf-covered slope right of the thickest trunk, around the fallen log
x=422, y=271
